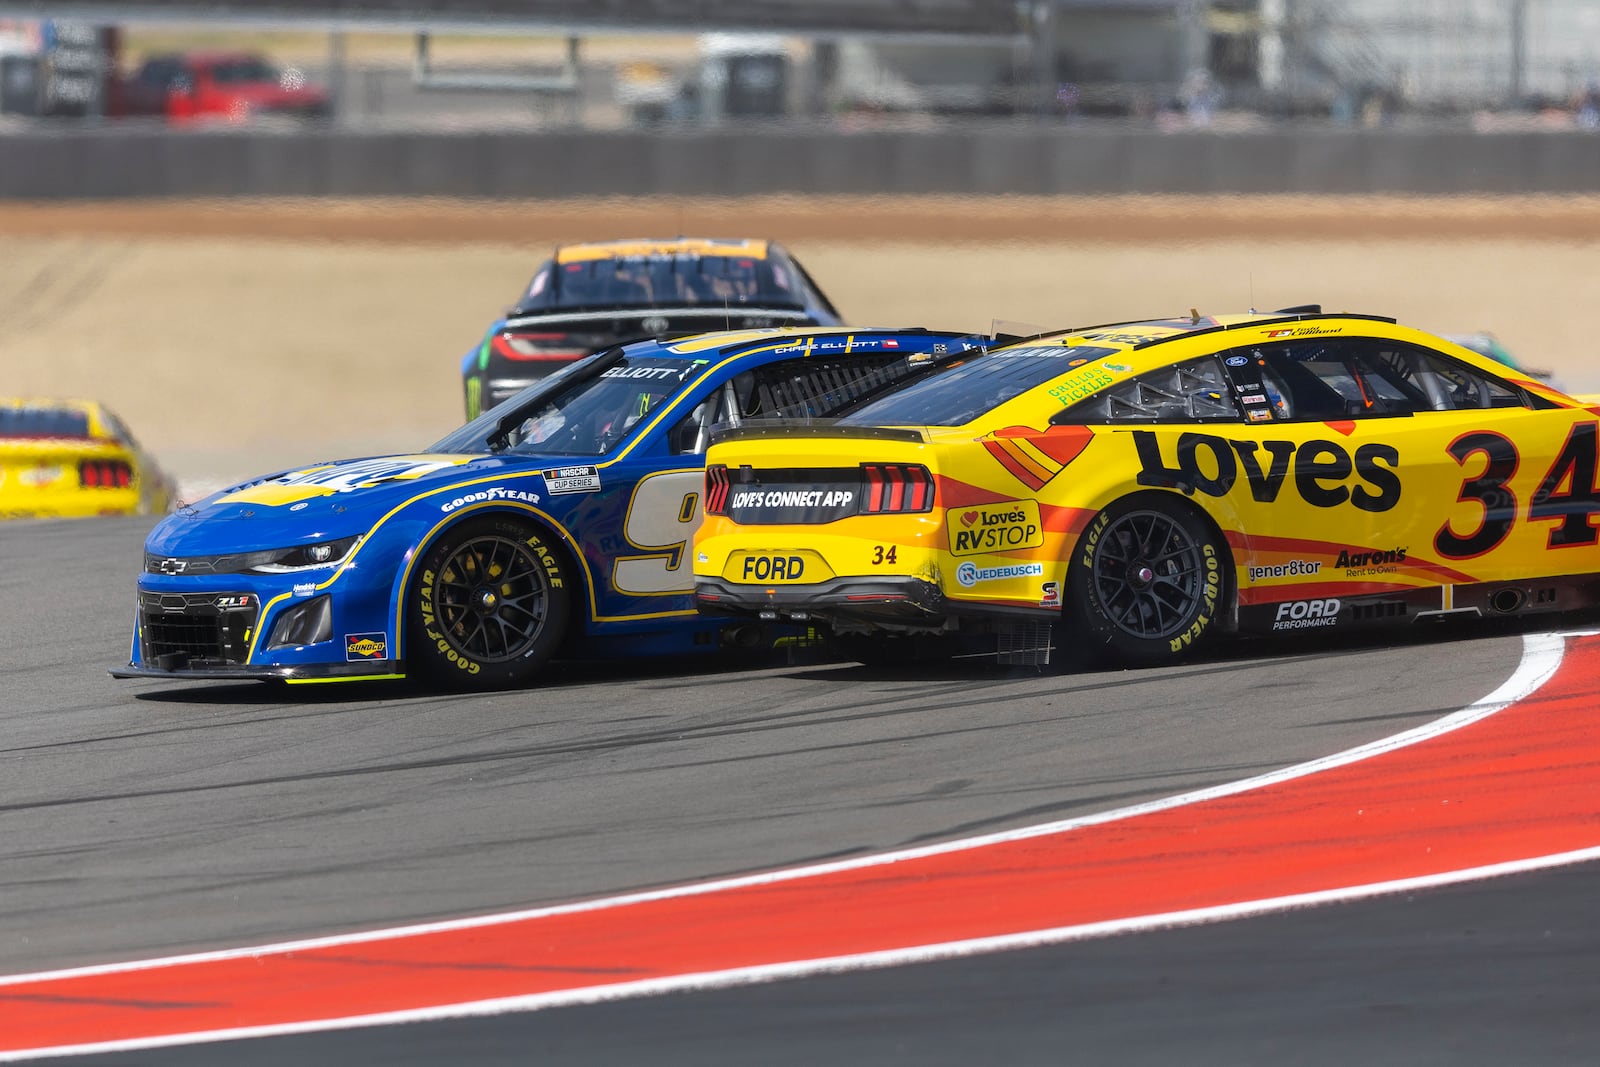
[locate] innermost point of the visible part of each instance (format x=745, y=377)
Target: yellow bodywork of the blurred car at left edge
x=39, y=476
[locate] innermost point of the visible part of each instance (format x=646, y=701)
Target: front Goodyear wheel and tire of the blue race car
x=489, y=605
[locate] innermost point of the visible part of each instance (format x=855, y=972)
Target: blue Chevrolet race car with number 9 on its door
x=558, y=524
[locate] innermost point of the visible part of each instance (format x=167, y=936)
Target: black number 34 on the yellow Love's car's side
x=1567, y=495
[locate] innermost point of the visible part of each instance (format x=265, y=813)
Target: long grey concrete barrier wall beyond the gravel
x=983, y=161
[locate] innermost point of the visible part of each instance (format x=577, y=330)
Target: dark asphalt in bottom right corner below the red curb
x=1484, y=975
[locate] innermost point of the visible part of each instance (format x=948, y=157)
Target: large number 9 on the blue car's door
x=662, y=519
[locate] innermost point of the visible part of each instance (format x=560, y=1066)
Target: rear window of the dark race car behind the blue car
x=663, y=281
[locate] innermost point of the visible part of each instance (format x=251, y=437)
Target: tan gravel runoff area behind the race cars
x=242, y=337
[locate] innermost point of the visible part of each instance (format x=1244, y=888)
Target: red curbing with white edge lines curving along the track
x=1382, y=818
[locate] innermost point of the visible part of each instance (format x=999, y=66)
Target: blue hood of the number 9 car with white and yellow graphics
x=321, y=503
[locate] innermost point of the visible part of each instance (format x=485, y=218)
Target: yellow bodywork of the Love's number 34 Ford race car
x=1308, y=510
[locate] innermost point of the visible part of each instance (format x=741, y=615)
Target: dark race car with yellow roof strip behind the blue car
x=590, y=297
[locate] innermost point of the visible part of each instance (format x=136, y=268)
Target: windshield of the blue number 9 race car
x=588, y=417
